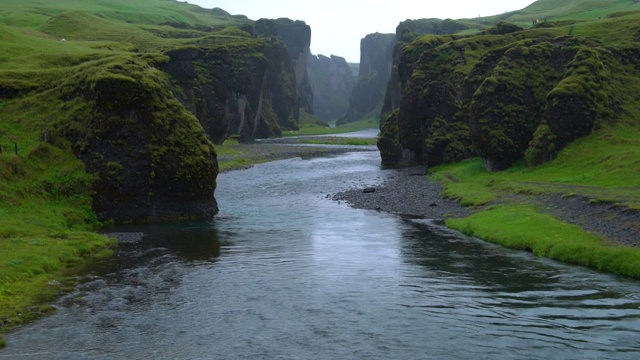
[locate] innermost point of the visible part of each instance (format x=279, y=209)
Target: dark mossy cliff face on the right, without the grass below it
x=503, y=94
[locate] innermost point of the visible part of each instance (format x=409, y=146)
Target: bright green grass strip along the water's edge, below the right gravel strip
x=525, y=228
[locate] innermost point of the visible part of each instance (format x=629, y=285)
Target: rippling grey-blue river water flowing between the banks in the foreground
x=286, y=273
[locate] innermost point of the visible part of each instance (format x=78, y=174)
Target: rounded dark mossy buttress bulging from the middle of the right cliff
x=507, y=107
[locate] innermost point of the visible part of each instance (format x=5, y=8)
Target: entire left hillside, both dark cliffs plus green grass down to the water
x=109, y=112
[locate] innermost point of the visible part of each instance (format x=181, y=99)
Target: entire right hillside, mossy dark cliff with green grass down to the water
x=512, y=113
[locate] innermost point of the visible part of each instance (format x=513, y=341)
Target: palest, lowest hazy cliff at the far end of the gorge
x=332, y=82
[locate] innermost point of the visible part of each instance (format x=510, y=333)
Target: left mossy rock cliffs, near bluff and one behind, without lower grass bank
x=141, y=96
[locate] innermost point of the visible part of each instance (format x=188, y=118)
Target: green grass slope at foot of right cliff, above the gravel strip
x=603, y=167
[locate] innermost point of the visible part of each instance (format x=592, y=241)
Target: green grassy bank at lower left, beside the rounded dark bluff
x=46, y=228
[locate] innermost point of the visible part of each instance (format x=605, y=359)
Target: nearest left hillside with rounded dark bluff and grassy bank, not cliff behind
x=81, y=80
